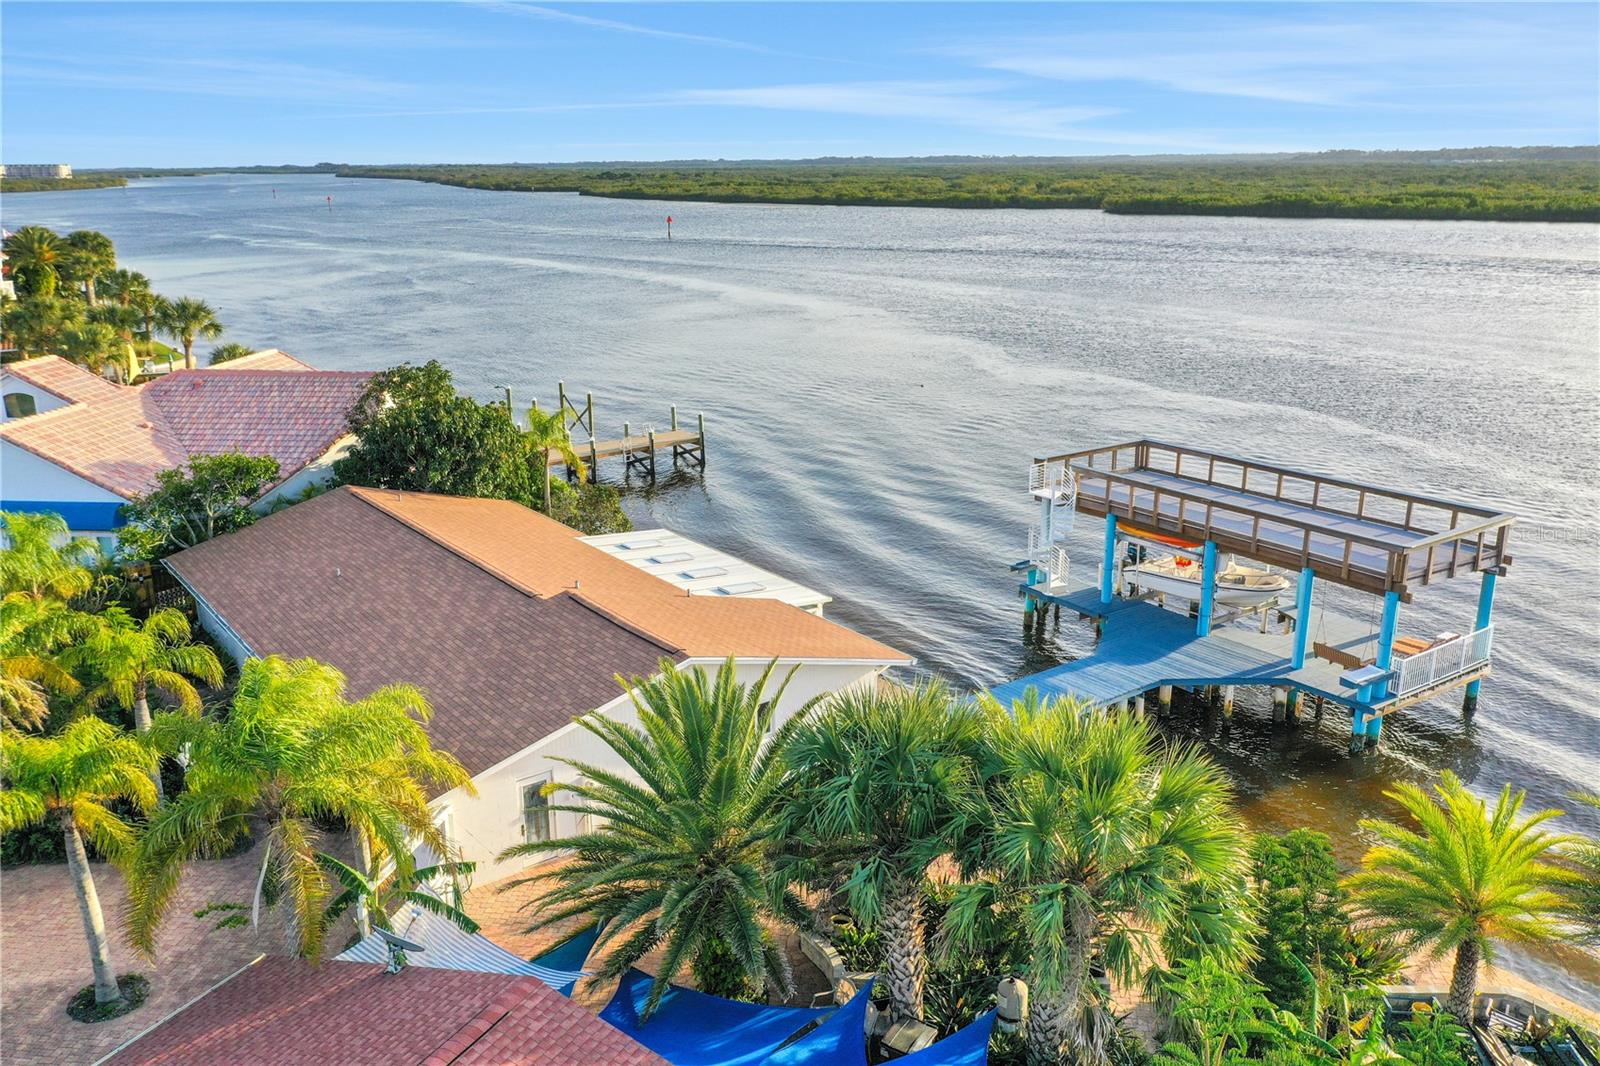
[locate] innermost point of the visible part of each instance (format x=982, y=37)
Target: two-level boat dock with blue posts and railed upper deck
x=1170, y=499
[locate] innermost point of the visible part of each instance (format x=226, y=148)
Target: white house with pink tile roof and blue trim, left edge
x=81, y=446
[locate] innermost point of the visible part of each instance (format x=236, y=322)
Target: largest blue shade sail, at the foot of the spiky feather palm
x=692, y=1028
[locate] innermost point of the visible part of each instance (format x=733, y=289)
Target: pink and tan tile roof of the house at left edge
x=121, y=438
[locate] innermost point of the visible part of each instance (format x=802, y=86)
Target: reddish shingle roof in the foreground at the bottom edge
x=284, y=1012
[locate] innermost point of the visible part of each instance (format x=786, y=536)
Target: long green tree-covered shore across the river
x=1516, y=190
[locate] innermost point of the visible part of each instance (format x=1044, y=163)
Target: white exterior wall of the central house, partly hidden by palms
x=490, y=822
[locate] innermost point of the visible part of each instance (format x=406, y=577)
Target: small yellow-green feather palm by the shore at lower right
x=1463, y=880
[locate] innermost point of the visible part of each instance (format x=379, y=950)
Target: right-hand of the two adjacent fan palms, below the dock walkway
x=1102, y=840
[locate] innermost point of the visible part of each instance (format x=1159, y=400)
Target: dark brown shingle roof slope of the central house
x=342, y=582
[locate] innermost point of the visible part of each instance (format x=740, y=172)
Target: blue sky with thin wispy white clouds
x=503, y=81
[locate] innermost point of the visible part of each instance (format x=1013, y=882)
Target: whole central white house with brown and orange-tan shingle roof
x=514, y=627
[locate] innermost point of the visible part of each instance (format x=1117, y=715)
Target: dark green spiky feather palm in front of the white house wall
x=681, y=856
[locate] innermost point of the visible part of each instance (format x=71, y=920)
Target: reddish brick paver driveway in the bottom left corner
x=44, y=958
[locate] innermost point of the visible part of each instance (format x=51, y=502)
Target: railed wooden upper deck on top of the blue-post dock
x=1361, y=535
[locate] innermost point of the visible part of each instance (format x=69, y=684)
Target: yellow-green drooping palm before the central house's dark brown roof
x=292, y=753
